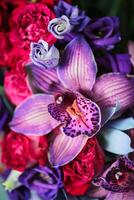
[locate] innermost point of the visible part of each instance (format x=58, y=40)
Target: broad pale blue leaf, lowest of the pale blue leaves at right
x=115, y=141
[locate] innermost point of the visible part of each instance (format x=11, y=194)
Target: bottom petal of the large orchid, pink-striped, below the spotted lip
x=65, y=148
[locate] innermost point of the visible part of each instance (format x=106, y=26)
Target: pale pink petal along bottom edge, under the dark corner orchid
x=120, y=196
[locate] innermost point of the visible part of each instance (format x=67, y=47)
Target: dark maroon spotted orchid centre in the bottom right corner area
x=119, y=177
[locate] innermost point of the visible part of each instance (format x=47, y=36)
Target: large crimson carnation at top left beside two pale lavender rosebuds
x=29, y=23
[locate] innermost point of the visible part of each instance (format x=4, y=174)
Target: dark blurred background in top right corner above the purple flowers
x=124, y=9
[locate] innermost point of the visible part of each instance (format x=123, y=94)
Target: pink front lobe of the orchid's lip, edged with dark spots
x=87, y=121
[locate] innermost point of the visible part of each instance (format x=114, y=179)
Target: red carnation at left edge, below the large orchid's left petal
x=20, y=152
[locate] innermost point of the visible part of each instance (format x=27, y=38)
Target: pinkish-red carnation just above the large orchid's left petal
x=15, y=84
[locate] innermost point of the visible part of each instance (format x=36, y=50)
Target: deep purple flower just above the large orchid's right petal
x=117, y=62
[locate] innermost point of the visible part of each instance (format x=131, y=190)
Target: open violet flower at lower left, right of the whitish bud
x=43, y=180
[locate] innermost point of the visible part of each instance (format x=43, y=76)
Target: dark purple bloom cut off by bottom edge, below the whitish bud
x=20, y=193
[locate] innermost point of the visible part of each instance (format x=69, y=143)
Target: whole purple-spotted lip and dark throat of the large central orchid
x=77, y=114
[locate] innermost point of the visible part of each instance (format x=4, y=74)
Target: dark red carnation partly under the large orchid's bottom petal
x=79, y=173
